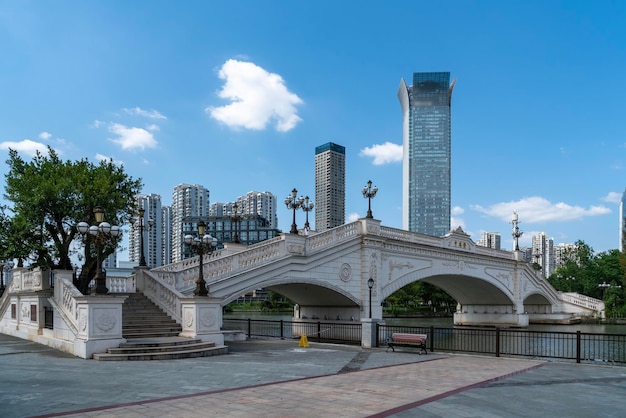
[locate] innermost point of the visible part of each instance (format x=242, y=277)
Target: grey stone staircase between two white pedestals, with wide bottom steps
x=152, y=335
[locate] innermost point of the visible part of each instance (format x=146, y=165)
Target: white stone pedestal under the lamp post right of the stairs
x=202, y=318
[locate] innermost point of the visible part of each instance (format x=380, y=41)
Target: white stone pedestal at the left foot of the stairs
x=99, y=324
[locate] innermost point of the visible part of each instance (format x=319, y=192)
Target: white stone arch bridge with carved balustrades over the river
x=326, y=274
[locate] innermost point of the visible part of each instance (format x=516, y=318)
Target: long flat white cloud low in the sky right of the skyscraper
x=538, y=209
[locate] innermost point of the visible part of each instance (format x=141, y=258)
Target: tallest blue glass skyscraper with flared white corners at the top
x=426, y=137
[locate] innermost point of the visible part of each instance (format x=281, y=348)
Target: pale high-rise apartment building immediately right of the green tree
x=152, y=232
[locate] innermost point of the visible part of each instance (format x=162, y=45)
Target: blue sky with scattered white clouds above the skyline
x=236, y=96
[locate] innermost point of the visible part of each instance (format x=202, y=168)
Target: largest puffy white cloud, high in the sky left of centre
x=257, y=97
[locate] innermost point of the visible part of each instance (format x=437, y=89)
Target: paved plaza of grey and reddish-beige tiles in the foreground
x=273, y=378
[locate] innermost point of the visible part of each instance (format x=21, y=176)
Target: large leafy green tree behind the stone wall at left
x=50, y=196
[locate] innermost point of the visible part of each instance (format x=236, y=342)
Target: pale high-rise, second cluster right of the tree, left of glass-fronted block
x=187, y=200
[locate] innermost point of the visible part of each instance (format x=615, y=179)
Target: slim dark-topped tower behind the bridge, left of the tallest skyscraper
x=330, y=186
